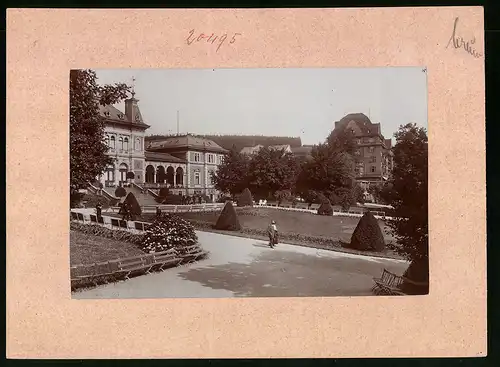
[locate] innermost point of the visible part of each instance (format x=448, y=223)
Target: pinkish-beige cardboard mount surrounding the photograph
x=43, y=321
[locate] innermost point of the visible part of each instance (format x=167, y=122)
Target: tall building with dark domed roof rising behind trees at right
x=373, y=155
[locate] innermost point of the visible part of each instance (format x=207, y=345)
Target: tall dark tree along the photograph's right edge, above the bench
x=409, y=197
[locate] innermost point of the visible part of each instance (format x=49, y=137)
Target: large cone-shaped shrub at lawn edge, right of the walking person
x=367, y=235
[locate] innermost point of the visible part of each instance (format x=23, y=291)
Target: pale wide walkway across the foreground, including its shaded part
x=241, y=267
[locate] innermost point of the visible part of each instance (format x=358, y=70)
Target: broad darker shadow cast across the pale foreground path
x=288, y=274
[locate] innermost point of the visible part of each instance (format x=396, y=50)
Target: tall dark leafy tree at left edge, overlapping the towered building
x=88, y=149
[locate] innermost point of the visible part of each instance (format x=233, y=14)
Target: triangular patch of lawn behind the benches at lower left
x=88, y=249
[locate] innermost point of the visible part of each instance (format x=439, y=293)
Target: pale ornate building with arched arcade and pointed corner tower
x=183, y=162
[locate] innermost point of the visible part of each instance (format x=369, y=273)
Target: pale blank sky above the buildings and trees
x=301, y=103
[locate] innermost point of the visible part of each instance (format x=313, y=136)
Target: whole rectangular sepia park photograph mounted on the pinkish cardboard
x=277, y=182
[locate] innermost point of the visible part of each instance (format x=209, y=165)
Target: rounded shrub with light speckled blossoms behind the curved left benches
x=169, y=231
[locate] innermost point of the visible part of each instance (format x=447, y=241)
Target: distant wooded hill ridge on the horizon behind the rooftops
x=241, y=141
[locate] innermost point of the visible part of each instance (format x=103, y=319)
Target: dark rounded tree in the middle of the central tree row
x=272, y=170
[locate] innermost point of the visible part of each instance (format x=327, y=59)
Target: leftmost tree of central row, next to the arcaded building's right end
x=231, y=176
